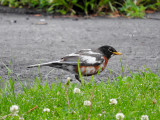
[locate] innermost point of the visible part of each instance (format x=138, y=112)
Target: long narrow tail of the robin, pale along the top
x=51, y=64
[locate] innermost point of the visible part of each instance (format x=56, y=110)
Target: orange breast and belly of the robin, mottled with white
x=91, y=70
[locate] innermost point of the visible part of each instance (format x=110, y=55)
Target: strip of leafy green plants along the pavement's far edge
x=129, y=8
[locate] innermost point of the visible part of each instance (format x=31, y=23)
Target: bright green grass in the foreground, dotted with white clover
x=137, y=95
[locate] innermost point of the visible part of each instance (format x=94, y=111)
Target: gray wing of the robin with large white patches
x=86, y=57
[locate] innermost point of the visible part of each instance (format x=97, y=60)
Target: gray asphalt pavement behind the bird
x=26, y=40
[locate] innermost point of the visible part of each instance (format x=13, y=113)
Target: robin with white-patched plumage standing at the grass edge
x=90, y=61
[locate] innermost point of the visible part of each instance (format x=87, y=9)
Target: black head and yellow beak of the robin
x=108, y=51
